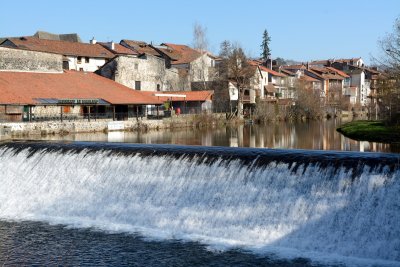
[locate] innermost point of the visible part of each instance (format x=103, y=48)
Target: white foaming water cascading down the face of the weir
x=318, y=214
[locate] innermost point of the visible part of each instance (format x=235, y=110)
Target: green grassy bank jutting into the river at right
x=373, y=131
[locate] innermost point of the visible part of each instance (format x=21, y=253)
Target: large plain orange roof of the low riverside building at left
x=66, y=85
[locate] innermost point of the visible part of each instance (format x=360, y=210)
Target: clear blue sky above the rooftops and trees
x=300, y=30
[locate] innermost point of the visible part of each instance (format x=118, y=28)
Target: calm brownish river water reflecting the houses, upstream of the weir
x=300, y=135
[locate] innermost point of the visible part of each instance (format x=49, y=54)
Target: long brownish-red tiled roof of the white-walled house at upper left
x=61, y=47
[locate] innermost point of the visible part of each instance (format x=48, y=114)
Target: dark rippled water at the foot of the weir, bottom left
x=33, y=243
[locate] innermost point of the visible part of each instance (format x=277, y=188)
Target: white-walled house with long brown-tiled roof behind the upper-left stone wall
x=76, y=56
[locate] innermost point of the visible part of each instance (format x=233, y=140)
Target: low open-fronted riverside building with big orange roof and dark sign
x=68, y=95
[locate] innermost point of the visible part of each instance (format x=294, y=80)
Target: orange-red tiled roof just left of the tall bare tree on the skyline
x=180, y=54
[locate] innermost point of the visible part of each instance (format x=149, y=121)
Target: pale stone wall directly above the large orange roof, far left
x=12, y=59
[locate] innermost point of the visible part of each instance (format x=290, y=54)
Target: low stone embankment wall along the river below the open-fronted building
x=27, y=129
